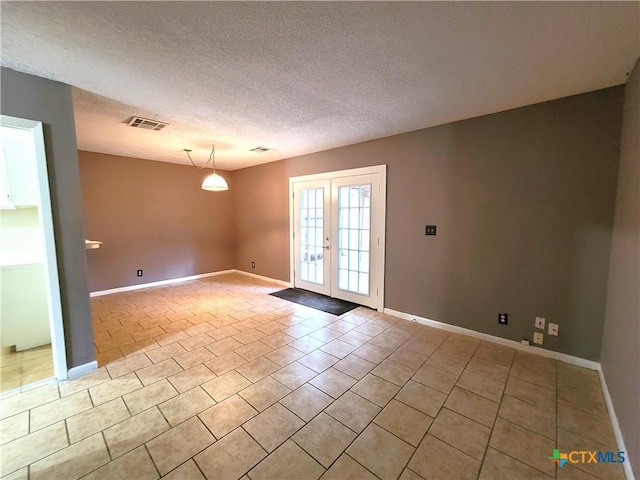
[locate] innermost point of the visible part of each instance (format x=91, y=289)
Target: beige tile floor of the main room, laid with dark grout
x=216, y=379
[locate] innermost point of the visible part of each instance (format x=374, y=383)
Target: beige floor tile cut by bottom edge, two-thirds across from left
x=435, y=459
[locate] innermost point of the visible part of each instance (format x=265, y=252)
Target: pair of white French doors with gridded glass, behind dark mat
x=338, y=234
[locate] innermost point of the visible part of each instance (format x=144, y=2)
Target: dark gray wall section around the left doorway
x=35, y=98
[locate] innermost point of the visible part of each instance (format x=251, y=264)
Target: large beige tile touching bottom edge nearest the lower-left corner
x=72, y=462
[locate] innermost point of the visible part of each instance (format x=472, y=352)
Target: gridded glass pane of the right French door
x=354, y=224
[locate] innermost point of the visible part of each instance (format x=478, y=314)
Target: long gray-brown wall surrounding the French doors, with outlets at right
x=523, y=200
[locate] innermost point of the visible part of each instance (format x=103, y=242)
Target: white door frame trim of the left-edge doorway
x=50, y=262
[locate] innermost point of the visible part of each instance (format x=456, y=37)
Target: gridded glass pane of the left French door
x=311, y=235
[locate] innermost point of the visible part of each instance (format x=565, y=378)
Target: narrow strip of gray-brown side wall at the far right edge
x=621, y=338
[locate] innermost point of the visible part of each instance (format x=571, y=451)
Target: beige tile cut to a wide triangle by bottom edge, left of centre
x=288, y=461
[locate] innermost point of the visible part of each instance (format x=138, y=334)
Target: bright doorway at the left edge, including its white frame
x=31, y=331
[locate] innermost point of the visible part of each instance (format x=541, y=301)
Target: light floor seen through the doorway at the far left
x=18, y=369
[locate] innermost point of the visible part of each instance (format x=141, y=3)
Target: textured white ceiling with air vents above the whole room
x=302, y=77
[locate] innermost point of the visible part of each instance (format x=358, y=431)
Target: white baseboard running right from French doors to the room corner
x=580, y=362
